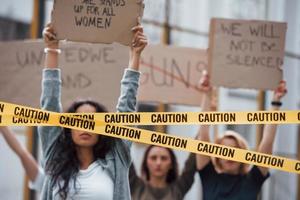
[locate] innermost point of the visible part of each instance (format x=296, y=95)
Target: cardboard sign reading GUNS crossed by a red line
x=171, y=74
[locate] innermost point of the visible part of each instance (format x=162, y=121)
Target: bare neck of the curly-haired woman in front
x=85, y=156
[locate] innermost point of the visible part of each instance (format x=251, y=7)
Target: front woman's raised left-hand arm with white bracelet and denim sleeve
x=51, y=89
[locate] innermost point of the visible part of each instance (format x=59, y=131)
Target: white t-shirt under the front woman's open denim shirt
x=92, y=183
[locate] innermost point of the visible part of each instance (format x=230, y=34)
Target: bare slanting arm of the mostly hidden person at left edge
x=30, y=165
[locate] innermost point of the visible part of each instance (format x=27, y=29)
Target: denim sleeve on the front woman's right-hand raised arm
x=127, y=103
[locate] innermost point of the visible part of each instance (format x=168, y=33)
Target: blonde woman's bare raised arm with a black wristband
x=269, y=133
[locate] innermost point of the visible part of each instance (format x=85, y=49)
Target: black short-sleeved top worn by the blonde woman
x=231, y=187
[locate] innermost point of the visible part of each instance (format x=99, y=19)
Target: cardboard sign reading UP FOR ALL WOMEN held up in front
x=94, y=21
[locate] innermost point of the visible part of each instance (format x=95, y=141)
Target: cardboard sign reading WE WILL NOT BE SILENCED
x=246, y=54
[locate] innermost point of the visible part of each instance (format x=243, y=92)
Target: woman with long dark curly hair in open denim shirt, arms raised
x=80, y=164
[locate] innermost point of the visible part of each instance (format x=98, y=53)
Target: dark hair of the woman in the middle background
x=172, y=173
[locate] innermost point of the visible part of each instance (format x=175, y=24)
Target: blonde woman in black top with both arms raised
x=225, y=179
